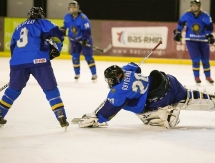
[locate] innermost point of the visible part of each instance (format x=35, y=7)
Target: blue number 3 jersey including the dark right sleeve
x=28, y=45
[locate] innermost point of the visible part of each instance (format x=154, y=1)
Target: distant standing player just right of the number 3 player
x=79, y=30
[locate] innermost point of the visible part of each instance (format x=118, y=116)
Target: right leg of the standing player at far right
x=205, y=51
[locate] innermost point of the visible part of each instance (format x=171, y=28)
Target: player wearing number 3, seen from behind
x=34, y=43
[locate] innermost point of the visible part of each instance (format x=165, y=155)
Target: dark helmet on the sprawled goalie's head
x=113, y=75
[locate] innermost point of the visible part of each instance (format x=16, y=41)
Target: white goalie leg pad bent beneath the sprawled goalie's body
x=166, y=117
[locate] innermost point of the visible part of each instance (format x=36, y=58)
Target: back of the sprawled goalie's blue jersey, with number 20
x=133, y=89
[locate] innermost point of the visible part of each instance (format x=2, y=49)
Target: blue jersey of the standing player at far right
x=196, y=27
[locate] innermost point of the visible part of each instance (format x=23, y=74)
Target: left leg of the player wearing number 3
x=18, y=80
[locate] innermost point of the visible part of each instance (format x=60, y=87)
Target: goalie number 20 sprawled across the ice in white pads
x=156, y=99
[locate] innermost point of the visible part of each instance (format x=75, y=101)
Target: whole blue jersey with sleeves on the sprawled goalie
x=130, y=94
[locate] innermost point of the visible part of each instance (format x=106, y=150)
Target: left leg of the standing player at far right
x=195, y=55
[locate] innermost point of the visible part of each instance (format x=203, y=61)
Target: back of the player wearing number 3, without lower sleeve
x=27, y=43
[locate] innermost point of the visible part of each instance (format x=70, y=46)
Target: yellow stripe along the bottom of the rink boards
x=125, y=59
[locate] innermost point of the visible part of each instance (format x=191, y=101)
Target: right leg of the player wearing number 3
x=46, y=79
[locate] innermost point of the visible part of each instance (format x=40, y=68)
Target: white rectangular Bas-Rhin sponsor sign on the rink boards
x=139, y=37
